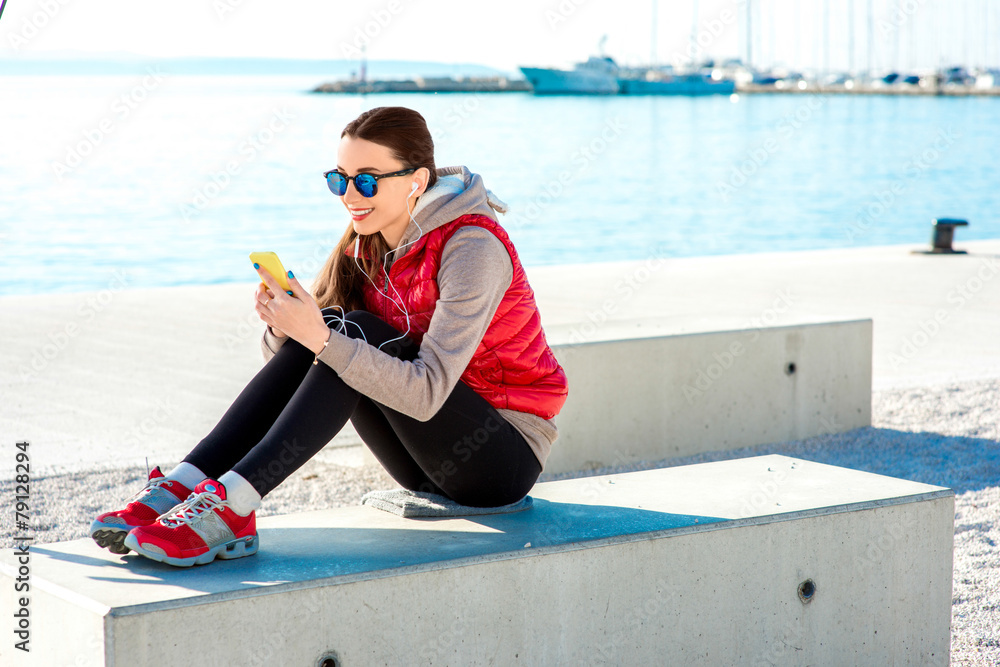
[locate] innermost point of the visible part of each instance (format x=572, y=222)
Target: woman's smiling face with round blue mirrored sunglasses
x=388, y=211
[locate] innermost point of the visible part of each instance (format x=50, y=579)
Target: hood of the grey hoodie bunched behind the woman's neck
x=457, y=192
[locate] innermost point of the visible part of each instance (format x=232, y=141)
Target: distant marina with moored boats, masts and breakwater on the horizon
x=697, y=74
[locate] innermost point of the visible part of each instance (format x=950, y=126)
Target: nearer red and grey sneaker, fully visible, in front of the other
x=194, y=533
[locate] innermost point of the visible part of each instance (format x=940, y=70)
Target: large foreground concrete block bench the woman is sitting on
x=764, y=560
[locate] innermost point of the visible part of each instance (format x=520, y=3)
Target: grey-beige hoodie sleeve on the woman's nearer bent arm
x=475, y=272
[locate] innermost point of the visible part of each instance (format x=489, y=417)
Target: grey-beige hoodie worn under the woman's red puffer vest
x=475, y=272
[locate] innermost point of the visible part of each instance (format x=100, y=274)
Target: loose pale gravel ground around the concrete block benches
x=948, y=435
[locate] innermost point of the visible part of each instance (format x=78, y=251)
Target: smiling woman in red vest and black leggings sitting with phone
x=422, y=330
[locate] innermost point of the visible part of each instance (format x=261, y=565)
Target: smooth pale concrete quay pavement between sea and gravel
x=103, y=380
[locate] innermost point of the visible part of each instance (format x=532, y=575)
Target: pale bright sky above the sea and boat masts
x=908, y=33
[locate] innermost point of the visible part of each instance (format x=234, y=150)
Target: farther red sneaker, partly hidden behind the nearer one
x=158, y=496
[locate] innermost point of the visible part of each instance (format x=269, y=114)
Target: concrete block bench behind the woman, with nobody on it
x=667, y=396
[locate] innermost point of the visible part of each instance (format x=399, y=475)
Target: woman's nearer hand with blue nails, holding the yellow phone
x=295, y=315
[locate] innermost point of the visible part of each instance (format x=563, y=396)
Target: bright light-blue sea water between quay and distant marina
x=157, y=180
